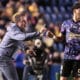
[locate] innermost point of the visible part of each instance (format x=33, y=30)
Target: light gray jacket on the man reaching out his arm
x=13, y=38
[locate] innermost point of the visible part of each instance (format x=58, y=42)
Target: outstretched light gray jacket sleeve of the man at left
x=23, y=36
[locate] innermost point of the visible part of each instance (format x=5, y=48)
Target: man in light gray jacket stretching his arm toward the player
x=13, y=38
